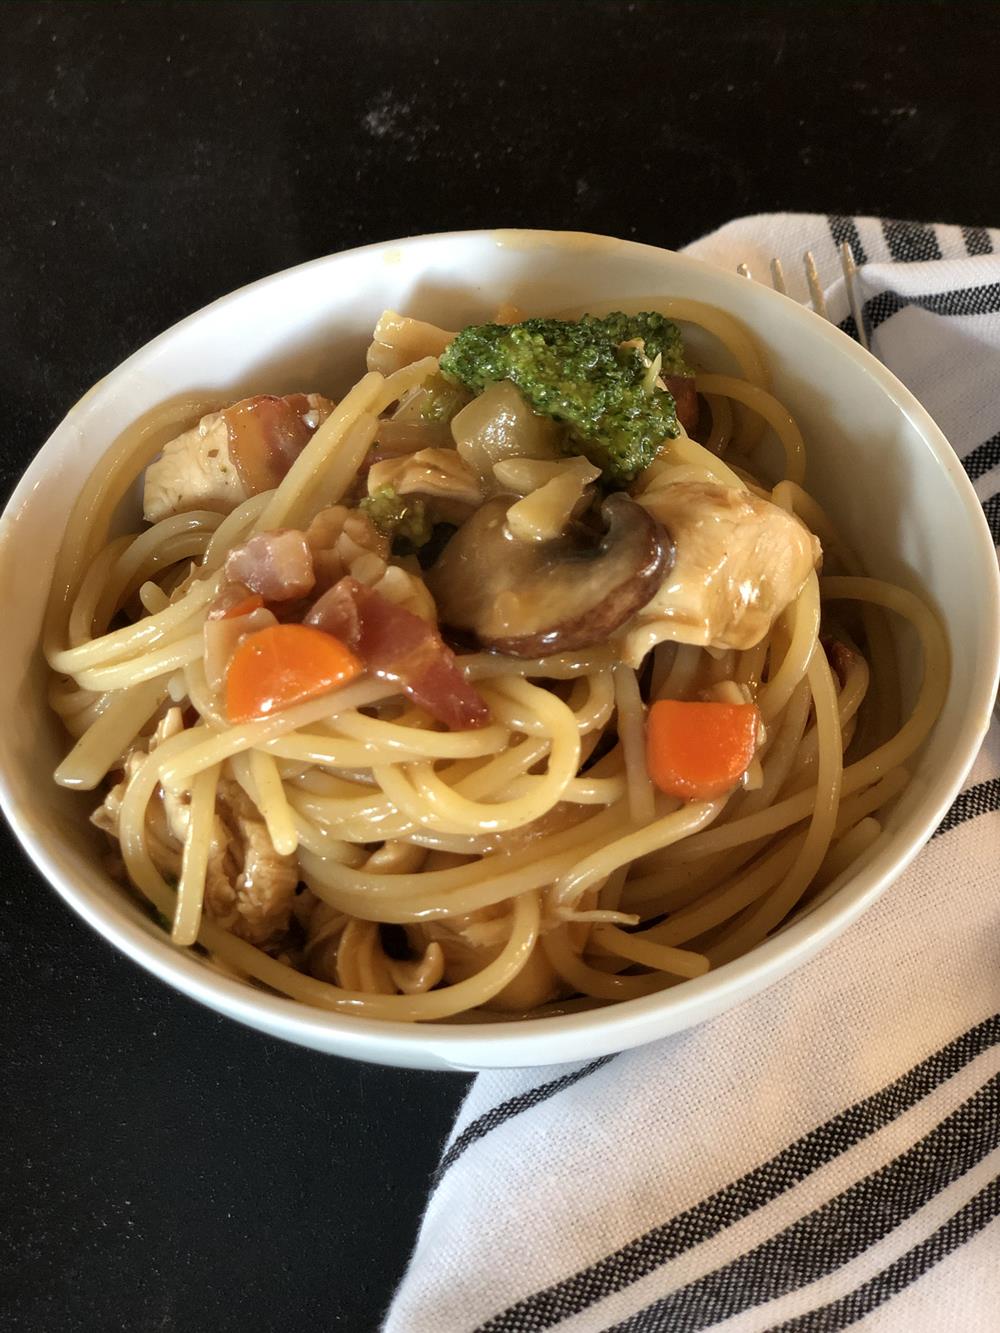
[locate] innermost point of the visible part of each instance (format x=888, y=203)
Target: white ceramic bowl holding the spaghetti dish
x=877, y=461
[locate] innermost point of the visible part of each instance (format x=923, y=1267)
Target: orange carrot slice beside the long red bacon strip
x=282, y=666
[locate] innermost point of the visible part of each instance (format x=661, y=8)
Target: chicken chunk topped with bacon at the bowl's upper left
x=231, y=455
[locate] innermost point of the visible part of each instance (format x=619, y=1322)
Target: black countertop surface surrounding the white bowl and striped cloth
x=166, y=1170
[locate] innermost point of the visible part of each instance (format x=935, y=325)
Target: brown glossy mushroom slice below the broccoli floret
x=534, y=598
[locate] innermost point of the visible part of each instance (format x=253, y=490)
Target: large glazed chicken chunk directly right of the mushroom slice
x=741, y=561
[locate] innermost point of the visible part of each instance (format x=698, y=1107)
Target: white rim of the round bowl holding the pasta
x=609, y=1027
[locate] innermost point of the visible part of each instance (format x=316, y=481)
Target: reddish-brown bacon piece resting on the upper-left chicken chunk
x=269, y=434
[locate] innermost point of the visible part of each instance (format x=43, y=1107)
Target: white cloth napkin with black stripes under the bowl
x=827, y=1155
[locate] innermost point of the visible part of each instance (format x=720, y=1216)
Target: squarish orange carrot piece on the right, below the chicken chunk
x=699, y=751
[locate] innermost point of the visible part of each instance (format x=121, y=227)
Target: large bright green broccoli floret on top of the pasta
x=581, y=374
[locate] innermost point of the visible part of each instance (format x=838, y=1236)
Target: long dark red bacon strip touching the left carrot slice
x=398, y=646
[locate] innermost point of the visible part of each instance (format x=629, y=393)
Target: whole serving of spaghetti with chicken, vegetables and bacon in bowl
x=449, y=703
